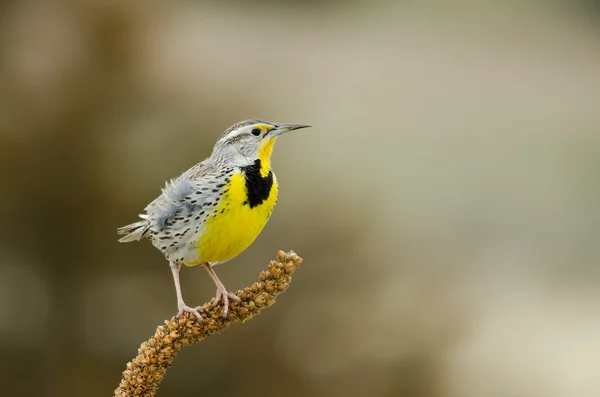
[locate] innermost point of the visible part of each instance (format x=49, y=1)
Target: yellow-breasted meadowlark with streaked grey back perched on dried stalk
x=216, y=209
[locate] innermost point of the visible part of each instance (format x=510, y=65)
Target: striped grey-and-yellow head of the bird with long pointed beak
x=251, y=140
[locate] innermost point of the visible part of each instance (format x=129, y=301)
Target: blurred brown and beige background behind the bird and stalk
x=446, y=201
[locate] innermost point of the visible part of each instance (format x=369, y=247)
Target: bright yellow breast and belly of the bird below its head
x=238, y=220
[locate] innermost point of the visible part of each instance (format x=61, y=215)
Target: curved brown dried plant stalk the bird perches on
x=145, y=372
